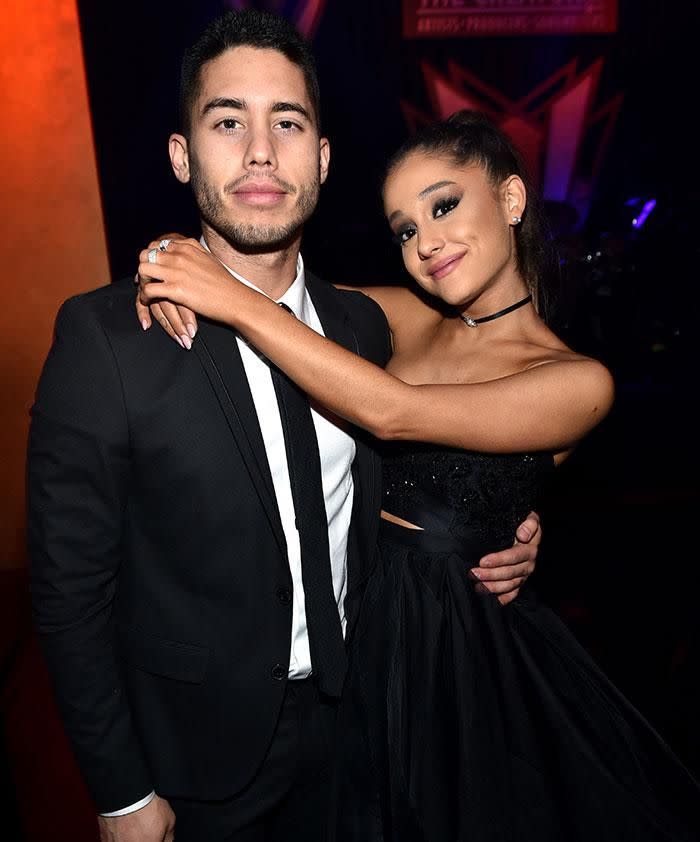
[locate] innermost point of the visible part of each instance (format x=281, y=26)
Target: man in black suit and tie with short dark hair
x=167, y=526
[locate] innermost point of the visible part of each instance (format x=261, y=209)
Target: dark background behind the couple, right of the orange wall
x=620, y=559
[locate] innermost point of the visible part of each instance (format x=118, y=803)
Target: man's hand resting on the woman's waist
x=504, y=573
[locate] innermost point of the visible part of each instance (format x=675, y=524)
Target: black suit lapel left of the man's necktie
x=217, y=350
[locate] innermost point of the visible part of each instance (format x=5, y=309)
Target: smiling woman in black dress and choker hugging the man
x=483, y=722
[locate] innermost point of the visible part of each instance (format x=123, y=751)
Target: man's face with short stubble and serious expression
x=254, y=156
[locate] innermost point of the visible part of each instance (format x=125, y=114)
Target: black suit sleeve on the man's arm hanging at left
x=78, y=471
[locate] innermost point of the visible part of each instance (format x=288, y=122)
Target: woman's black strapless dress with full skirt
x=468, y=721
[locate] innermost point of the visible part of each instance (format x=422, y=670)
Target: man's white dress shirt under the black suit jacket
x=337, y=451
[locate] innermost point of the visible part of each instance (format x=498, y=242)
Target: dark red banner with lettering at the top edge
x=473, y=18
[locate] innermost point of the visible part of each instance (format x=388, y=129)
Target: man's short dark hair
x=248, y=28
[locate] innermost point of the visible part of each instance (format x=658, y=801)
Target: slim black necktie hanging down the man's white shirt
x=328, y=659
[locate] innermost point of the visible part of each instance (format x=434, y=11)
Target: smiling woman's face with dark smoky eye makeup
x=454, y=228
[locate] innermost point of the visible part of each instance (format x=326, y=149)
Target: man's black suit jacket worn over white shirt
x=161, y=586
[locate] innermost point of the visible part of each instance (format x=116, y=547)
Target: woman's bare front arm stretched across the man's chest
x=549, y=407
